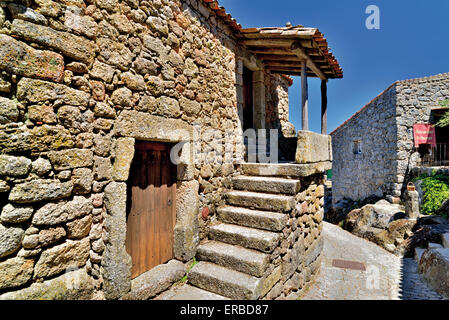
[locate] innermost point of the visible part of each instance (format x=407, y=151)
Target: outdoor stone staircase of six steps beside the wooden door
x=234, y=260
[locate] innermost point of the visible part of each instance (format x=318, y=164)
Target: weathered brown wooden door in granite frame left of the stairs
x=151, y=214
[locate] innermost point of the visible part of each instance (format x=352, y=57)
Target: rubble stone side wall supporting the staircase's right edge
x=296, y=261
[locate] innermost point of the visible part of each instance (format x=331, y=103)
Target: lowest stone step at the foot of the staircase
x=226, y=282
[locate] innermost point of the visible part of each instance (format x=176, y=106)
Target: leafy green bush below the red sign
x=436, y=190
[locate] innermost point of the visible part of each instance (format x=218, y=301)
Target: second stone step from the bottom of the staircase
x=236, y=258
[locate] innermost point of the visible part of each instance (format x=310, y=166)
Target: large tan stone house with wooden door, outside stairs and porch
x=122, y=127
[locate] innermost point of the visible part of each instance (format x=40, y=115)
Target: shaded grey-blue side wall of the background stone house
x=359, y=175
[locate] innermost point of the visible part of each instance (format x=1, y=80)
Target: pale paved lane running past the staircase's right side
x=386, y=276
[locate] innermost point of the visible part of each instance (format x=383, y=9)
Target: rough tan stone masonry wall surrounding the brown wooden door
x=80, y=82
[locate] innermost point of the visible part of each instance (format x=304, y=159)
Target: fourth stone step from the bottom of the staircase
x=271, y=221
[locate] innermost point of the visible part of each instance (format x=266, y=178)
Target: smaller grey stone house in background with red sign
x=374, y=151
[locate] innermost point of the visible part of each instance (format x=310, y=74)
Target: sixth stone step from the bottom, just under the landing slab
x=266, y=184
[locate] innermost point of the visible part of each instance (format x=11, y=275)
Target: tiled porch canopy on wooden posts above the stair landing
x=295, y=51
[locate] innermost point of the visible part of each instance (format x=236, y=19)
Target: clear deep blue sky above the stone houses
x=413, y=41
